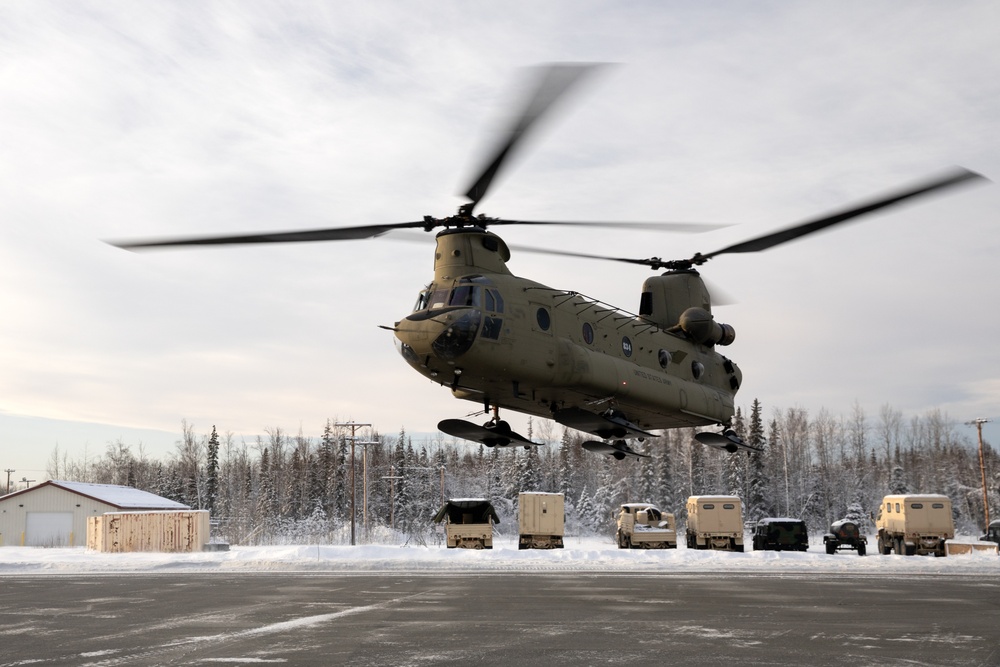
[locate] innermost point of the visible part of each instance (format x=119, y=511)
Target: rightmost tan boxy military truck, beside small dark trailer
x=912, y=524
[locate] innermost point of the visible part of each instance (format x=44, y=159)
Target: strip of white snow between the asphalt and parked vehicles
x=582, y=554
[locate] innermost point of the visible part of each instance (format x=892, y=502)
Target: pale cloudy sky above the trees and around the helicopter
x=123, y=120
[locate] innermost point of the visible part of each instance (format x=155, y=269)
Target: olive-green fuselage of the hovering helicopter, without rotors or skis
x=508, y=342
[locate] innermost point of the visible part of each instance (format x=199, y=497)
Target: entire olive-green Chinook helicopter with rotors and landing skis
x=510, y=343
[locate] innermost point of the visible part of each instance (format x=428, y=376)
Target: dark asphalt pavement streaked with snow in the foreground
x=497, y=618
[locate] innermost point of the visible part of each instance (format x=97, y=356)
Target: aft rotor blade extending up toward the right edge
x=955, y=177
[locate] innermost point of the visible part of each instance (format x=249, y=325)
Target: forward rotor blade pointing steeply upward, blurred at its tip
x=554, y=81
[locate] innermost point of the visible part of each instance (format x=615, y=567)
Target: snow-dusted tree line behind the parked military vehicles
x=280, y=488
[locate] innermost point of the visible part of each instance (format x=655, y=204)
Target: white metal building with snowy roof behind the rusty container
x=54, y=513
